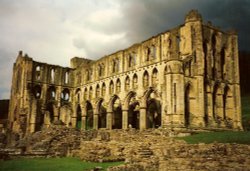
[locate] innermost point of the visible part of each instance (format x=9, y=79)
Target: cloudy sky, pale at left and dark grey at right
x=54, y=31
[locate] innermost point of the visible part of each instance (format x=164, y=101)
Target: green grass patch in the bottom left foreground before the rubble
x=51, y=164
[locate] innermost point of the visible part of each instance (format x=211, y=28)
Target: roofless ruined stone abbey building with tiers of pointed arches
x=186, y=77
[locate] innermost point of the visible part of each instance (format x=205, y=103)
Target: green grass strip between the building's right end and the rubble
x=221, y=137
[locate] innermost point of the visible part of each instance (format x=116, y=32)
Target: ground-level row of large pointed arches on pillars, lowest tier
x=118, y=115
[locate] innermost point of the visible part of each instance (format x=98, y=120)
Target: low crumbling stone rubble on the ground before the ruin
x=149, y=150
